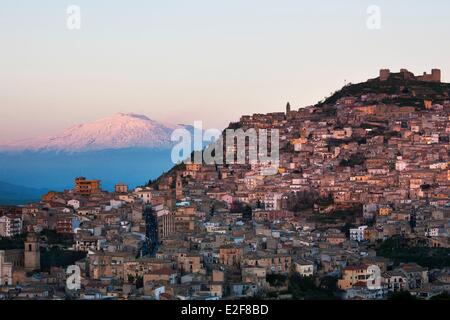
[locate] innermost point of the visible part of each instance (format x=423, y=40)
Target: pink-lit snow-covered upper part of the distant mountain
x=119, y=131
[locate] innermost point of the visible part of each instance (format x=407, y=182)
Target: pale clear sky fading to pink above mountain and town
x=181, y=61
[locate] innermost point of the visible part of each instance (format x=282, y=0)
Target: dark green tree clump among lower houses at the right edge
x=399, y=249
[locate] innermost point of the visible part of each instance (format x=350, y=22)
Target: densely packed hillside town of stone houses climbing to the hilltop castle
x=359, y=209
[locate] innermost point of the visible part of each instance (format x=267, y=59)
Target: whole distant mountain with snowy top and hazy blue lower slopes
x=124, y=147
